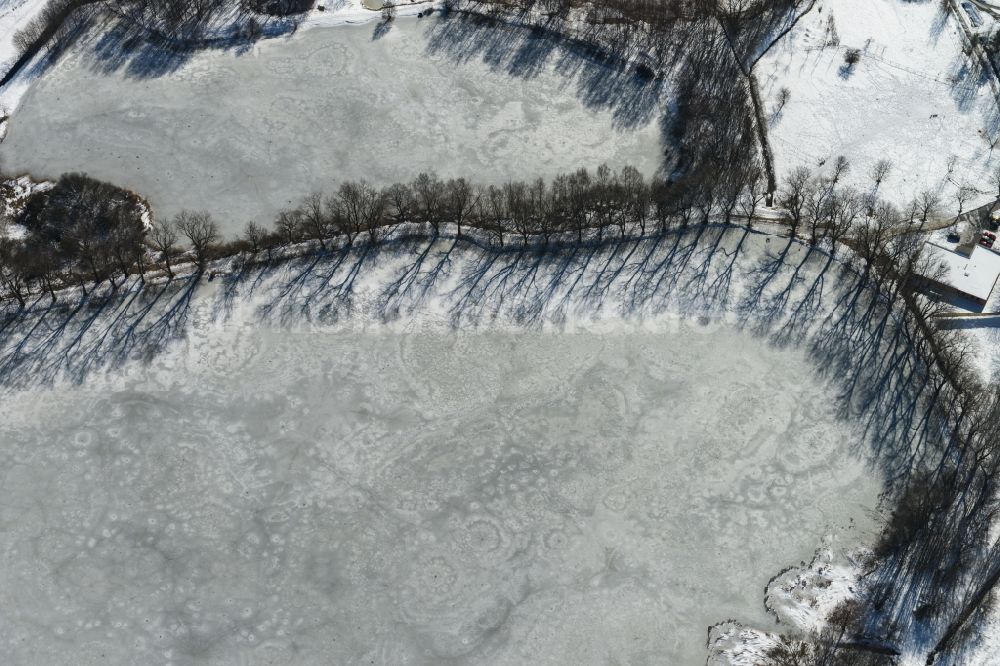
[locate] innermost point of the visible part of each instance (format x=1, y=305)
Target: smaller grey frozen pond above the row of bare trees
x=245, y=135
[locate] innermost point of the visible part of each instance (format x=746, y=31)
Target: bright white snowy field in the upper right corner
x=914, y=98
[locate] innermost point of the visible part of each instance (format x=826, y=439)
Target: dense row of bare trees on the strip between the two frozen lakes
x=578, y=203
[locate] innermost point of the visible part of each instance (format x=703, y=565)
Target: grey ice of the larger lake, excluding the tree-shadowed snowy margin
x=307, y=496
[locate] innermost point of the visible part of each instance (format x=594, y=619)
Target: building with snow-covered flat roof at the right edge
x=961, y=270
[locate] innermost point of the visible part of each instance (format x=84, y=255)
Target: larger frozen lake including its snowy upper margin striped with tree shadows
x=310, y=465
